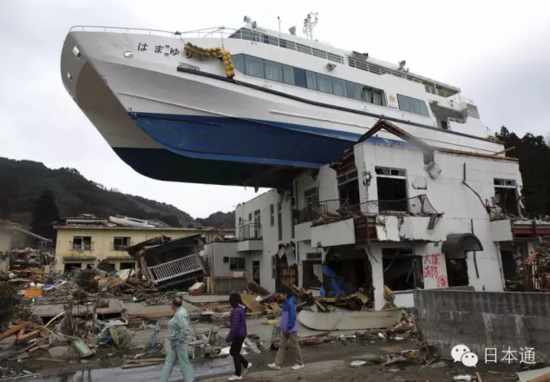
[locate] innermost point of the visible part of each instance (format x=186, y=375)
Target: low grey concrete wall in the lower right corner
x=482, y=320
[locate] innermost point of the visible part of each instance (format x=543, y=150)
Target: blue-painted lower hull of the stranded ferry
x=233, y=151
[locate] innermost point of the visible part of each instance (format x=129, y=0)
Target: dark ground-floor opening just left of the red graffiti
x=402, y=269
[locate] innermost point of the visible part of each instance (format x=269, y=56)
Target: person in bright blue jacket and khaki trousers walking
x=289, y=334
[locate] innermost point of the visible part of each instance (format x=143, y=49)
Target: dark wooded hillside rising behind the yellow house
x=28, y=189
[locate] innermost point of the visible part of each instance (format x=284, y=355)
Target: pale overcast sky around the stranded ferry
x=497, y=52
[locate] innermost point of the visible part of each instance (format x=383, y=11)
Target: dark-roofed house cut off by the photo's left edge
x=13, y=236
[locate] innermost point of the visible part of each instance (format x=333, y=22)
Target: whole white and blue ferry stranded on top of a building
x=249, y=106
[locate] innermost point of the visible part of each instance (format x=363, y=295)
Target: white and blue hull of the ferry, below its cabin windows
x=159, y=118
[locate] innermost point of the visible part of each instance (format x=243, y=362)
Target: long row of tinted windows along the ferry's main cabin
x=274, y=71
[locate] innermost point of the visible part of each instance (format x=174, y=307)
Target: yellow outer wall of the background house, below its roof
x=102, y=244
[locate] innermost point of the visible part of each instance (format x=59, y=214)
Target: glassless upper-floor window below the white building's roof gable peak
x=392, y=189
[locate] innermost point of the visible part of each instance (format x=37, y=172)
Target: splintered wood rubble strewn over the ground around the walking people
x=91, y=315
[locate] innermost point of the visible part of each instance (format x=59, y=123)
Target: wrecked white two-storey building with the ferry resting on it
x=393, y=212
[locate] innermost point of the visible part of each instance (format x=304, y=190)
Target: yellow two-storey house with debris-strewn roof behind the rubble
x=86, y=240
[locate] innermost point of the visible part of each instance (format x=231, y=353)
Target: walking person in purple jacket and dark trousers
x=237, y=335
